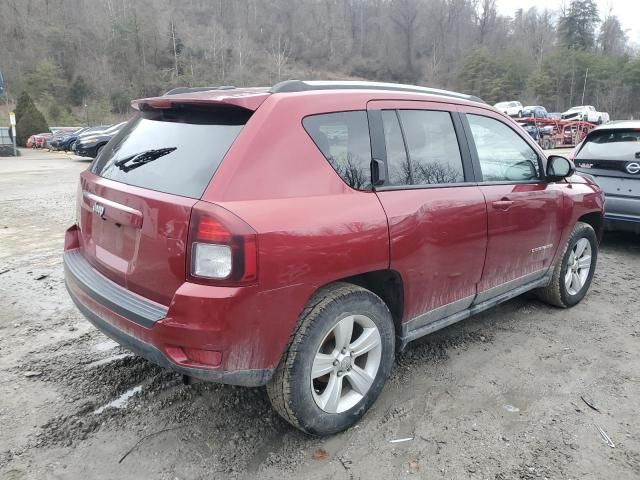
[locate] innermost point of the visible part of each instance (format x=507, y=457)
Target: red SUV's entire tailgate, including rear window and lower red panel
x=134, y=203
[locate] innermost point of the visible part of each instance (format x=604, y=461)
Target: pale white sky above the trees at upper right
x=628, y=11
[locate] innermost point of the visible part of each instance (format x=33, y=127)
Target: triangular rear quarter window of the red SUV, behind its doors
x=343, y=138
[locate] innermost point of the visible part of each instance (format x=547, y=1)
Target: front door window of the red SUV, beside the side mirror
x=503, y=154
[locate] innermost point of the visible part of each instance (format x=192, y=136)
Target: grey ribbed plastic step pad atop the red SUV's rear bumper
x=111, y=295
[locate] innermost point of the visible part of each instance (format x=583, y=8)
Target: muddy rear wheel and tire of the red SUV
x=337, y=362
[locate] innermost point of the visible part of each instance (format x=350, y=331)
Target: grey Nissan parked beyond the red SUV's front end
x=610, y=154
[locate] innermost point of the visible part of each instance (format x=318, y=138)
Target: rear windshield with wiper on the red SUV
x=174, y=150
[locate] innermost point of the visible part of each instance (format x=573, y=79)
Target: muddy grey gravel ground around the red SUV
x=498, y=396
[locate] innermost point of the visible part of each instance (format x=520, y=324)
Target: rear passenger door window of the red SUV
x=432, y=147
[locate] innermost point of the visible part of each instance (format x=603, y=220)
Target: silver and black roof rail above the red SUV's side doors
x=289, y=86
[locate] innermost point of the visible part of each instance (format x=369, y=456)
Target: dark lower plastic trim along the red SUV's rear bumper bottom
x=247, y=378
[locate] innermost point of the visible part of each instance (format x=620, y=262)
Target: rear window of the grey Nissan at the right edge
x=611, y=145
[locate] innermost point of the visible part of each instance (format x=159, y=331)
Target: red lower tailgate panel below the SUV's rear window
x=134, y=237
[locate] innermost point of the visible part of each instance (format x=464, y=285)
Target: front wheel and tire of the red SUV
x=573, y=274
